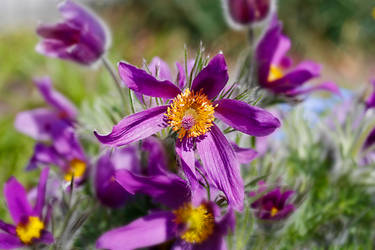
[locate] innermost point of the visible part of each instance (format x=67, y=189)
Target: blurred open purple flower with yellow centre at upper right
x=274, y=67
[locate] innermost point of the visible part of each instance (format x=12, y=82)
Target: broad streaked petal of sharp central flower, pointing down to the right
x=221, y=165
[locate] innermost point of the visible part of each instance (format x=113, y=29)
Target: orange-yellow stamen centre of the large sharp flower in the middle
x=190, y=114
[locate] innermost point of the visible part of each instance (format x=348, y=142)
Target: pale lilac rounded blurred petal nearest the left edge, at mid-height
x=36, y=123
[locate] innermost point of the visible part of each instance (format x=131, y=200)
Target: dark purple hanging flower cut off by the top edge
x=242, y=13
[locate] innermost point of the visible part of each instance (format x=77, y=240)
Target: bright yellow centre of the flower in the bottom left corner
x=30, y=230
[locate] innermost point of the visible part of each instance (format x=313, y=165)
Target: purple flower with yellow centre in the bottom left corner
x=29, y=225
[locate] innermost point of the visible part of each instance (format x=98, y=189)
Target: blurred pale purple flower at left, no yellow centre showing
x=40, y=123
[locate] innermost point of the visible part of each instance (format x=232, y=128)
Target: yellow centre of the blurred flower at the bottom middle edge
x=199, y=222
